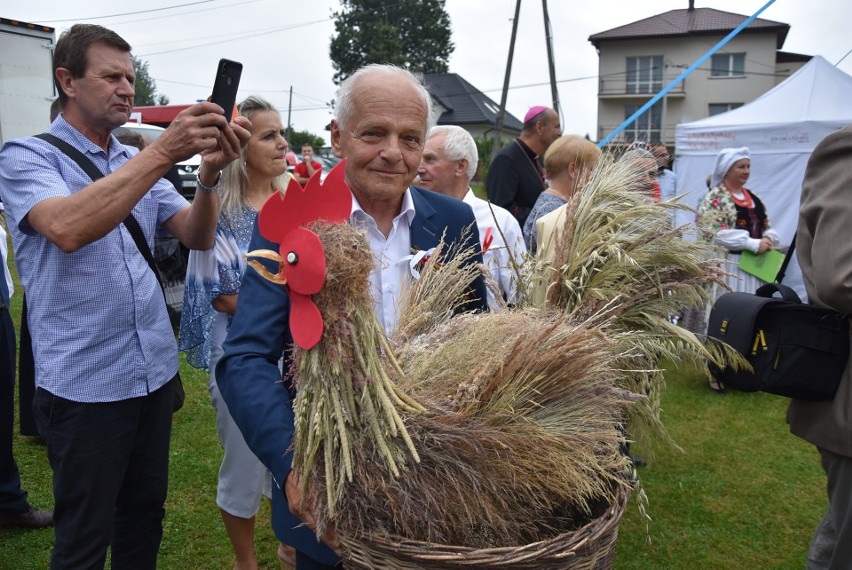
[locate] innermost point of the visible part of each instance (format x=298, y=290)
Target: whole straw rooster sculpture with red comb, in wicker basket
x=475, y=430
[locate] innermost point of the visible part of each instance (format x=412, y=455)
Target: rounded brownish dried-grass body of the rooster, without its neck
x=526, y=446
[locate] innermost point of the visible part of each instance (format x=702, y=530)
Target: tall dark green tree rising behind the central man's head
x=414, y=34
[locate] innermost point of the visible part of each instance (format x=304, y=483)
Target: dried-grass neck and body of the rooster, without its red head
x=446, y=439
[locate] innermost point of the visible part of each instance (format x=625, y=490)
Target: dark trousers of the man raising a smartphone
x=110, y=464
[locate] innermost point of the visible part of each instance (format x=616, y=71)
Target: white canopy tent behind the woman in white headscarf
x=780, y=128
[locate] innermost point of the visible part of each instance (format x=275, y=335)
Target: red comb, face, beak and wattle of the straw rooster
x=300, y=255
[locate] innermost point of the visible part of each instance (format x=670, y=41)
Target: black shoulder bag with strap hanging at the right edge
x=796, y=350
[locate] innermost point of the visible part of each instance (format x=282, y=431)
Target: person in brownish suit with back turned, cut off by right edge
x=825, y=256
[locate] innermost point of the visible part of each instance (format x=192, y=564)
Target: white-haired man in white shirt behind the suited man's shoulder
x=449, y=162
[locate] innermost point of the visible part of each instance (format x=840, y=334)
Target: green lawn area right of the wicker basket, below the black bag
x=744, y=493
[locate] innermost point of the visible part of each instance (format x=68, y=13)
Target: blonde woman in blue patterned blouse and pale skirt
x=210, y=300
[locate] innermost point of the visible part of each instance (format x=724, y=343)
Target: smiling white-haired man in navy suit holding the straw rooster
x=381, y=126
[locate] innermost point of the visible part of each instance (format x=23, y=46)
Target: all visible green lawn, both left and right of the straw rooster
x=743, y=493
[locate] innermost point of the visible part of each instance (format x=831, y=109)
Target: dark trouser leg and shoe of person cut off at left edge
x=13, y=500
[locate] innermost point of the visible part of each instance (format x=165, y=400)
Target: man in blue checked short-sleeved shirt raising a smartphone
x=105, y=353
